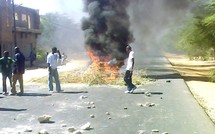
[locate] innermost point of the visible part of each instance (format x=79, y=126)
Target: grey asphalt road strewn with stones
x=173, y=110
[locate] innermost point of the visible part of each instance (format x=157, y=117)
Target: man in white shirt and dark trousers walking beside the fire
x=129, y=71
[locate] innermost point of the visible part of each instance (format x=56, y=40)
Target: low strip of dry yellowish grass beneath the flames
x=90, y=77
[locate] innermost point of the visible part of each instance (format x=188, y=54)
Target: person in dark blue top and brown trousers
x=18, y=71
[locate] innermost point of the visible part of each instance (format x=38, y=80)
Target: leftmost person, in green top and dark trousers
x=6, y=69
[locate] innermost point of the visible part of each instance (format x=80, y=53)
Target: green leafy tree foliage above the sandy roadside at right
x=197, y=36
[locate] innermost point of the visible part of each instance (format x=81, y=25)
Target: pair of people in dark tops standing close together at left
x=13, y=69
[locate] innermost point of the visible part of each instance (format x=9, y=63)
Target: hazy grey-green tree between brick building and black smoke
x=59, y=30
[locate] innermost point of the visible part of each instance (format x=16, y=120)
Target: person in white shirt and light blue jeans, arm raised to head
x=52, y=60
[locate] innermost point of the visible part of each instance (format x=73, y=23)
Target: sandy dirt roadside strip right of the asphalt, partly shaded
x=195, y=74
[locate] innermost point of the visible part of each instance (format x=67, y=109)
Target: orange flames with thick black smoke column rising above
x=107, y=34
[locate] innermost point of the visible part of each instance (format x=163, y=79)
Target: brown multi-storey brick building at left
x=23, y=33
